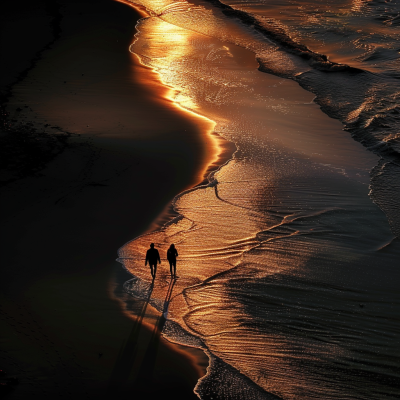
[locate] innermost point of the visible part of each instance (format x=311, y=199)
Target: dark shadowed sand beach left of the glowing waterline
x=65, y=323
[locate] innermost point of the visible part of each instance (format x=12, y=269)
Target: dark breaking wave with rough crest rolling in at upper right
x=340, y=96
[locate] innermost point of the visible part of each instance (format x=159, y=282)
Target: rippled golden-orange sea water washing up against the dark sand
x=287, y=268
